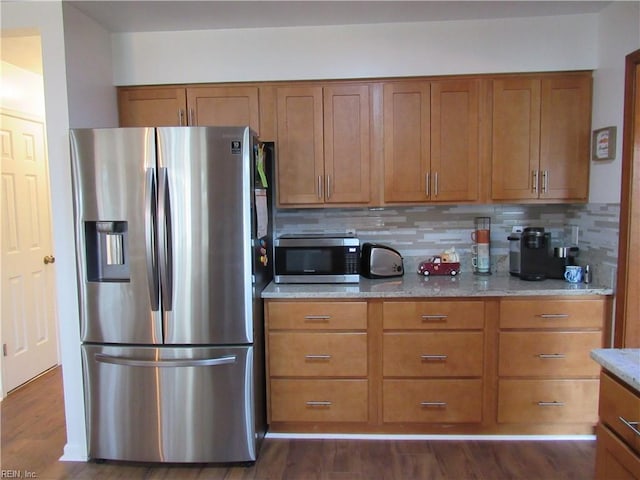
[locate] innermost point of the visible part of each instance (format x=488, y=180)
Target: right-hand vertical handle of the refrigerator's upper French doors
x=164, y=240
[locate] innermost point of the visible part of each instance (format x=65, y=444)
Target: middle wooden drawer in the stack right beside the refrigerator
x=305, y=354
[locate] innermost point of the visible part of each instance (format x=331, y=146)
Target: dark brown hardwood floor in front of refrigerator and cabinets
x=33, y=438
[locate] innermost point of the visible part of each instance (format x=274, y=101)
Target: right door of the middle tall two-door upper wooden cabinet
x=455, y=130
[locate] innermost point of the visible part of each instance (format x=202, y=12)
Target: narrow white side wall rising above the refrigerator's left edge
x=92, y=97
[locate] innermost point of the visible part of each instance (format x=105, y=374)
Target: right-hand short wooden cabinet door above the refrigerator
x=224, y=106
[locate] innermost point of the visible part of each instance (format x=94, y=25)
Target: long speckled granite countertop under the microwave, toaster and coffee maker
x=414, y=285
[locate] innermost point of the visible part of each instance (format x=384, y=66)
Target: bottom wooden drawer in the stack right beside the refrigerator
x=319, y=401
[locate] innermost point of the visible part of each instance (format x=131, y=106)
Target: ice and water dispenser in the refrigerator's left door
x=107, y=251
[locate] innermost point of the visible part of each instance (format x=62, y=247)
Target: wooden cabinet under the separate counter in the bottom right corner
x=618, y=440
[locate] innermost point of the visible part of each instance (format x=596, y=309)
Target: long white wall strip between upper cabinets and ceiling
x=356, y=51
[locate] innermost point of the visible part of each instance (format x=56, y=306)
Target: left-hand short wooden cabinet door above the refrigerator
x=152, y=107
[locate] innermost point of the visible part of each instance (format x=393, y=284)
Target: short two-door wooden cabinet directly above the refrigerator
x=204, y=106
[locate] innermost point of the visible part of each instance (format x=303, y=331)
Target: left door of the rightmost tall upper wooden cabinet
x=515, y=139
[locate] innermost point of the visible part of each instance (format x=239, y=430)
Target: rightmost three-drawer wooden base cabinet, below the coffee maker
x=545, y=374
